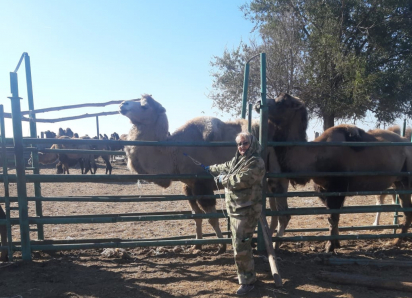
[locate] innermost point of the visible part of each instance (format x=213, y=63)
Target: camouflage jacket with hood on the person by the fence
x=242, y=178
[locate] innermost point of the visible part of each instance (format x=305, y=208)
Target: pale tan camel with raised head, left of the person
x=150, y=123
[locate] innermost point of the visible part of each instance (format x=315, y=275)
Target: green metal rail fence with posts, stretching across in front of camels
x=27, y=245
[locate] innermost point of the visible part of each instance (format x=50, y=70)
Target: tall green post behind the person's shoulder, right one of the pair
x=263, y=137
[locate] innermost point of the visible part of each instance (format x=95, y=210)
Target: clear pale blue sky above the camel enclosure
x=98, y=51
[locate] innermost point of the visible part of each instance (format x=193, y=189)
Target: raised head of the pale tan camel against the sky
x=146, y=111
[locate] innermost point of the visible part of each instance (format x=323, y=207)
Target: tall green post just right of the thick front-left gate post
x=34, y=154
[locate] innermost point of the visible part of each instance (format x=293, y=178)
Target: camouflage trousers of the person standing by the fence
x=242, y=226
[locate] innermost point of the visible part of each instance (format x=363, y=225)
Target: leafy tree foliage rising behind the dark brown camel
x=342, y=58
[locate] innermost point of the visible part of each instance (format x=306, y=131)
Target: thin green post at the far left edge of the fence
x=6, y=183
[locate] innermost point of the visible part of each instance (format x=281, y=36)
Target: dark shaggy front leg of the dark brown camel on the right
x=332, y=203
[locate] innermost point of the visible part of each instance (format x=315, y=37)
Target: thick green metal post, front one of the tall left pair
x=20, y=168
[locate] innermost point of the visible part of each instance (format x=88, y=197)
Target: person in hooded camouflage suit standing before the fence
x=242, y=178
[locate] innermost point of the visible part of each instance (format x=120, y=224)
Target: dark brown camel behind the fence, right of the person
x=289, y=116
